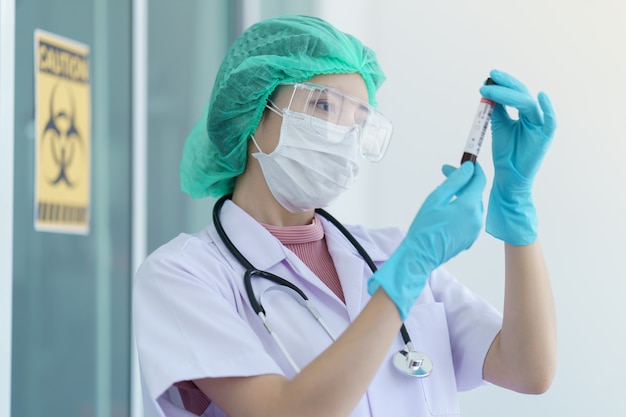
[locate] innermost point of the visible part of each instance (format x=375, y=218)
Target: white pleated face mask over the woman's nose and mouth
x=313, y=164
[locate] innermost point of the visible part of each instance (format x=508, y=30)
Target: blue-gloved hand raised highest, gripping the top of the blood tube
x=518, y=148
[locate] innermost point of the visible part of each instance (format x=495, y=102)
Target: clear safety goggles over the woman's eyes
x=372, y=128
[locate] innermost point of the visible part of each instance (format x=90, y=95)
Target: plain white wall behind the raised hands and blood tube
x=436, y=55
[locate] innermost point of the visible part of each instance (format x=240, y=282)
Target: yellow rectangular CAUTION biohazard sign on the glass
x=62, y=134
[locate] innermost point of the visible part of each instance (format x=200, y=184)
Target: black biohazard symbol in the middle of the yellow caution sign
x=61, y=135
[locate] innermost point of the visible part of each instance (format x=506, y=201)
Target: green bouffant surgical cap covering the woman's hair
x=278, y=50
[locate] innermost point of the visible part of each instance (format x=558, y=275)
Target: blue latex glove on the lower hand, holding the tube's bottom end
x=447, y=223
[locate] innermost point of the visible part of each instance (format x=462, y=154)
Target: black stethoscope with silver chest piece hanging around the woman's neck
x=408, y=361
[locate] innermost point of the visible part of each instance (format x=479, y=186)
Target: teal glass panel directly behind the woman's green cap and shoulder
x=187, y=41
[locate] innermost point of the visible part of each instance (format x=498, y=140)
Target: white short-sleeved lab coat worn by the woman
x=192, y=319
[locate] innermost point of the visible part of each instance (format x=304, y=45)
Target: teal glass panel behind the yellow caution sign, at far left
x=71, y=301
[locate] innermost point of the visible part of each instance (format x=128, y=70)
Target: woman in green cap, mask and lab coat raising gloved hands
x=291, y=112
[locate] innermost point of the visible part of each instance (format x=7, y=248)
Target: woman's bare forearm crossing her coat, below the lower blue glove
x=331, y=385
